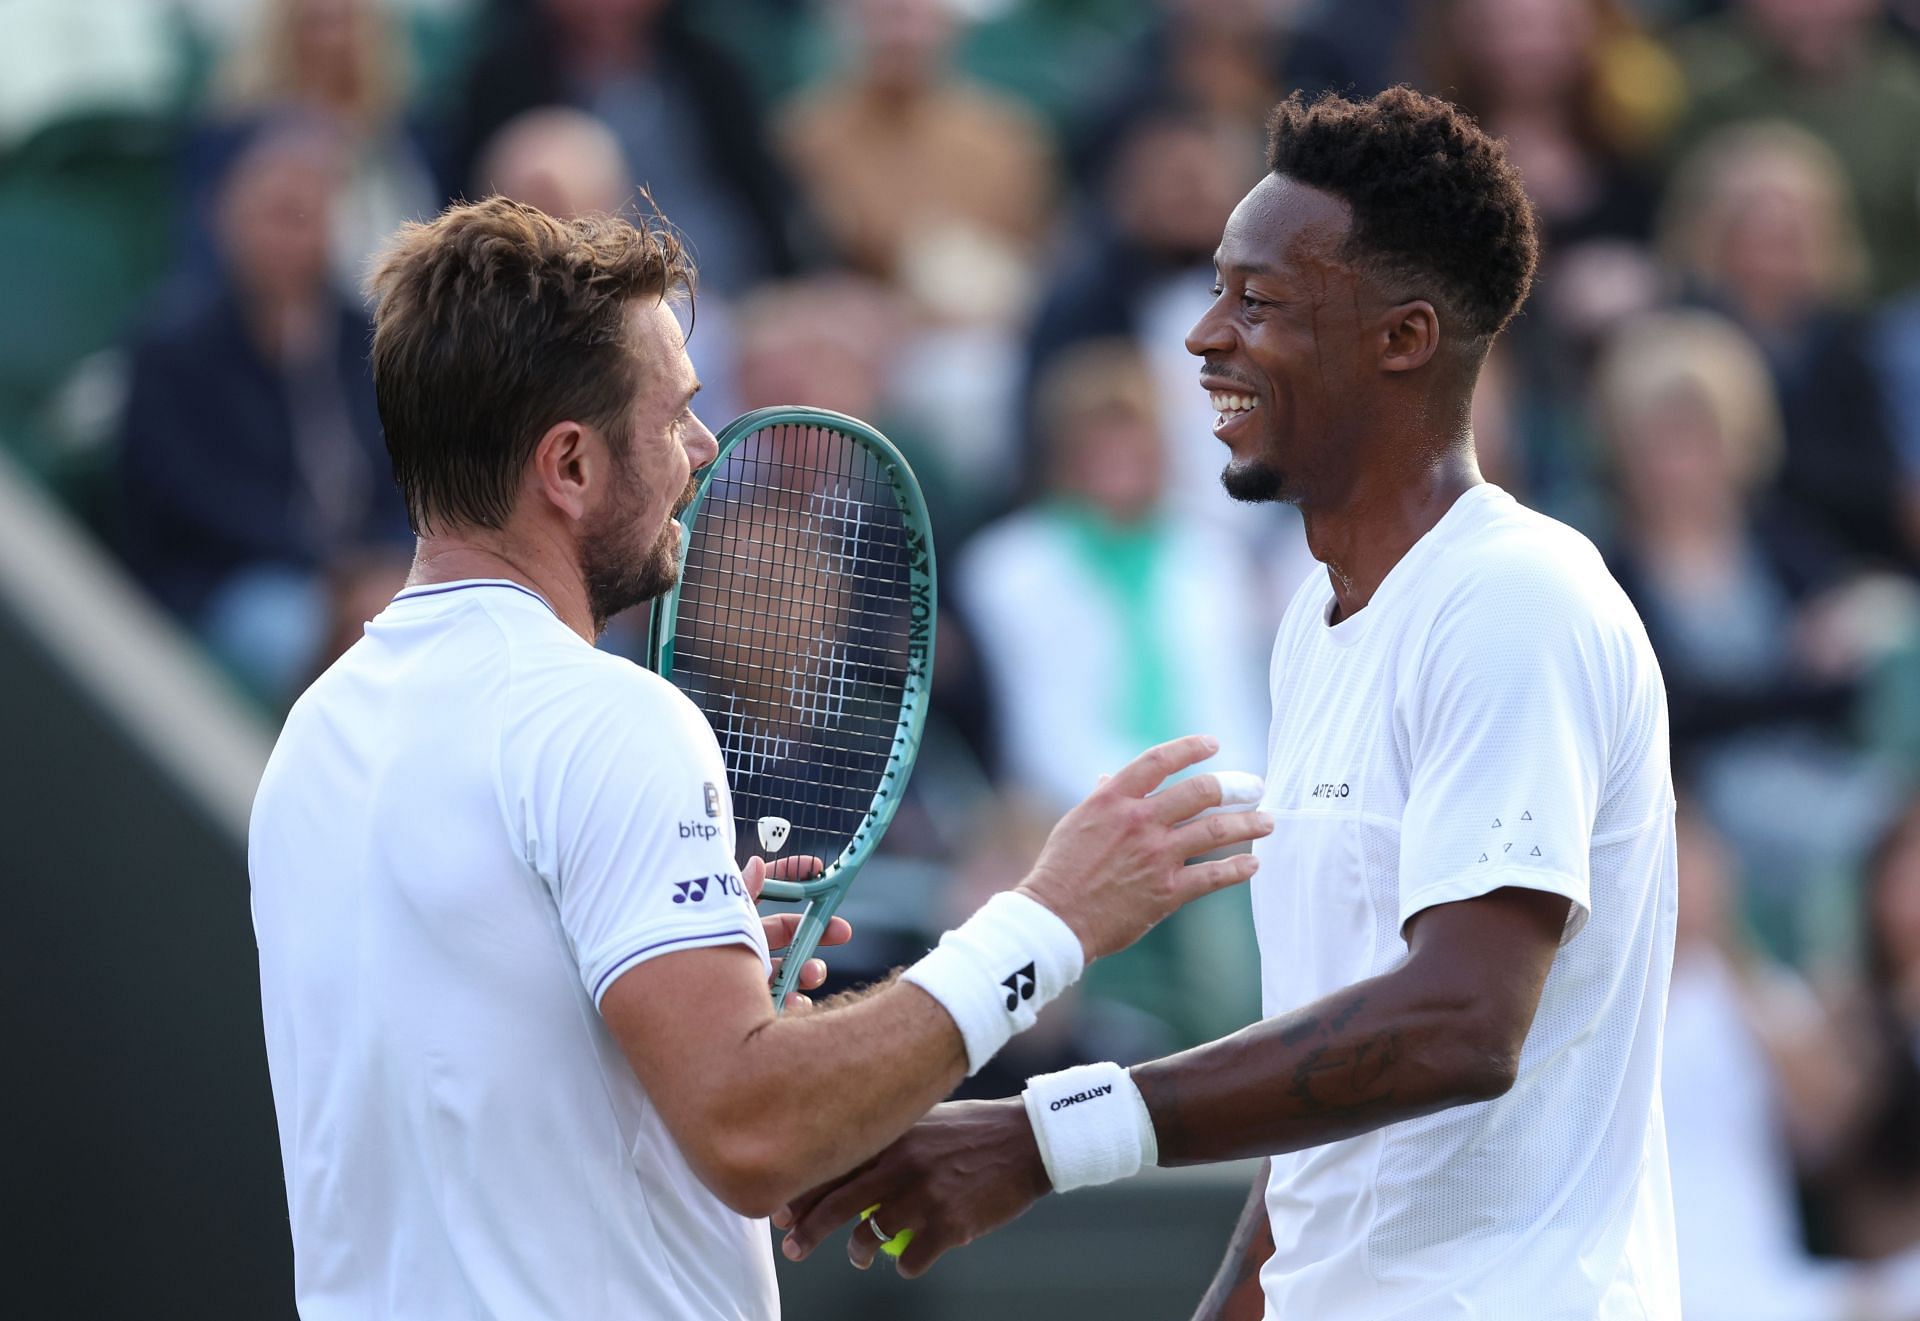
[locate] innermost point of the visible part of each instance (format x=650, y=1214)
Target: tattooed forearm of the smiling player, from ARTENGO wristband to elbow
x=1380, y=1051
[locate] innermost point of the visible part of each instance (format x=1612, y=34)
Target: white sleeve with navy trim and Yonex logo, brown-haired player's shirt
x=629, y=823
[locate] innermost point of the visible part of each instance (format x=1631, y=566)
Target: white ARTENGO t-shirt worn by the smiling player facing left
x=1493, y=717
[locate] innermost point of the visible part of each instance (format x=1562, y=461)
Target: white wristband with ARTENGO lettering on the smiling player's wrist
x=1092, y=1124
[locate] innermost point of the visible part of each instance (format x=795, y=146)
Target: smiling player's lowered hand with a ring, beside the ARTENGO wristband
x=963, y=1172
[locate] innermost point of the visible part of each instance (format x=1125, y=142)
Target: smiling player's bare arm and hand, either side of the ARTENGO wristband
x=1441, y=1030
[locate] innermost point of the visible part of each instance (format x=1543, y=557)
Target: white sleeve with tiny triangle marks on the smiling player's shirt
x=1508, y=733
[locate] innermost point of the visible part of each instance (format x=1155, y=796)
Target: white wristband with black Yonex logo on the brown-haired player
x=999, y=969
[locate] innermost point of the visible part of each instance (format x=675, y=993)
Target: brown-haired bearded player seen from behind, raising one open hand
x=516, y=990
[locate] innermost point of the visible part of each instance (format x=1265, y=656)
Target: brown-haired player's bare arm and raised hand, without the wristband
x=767, y=1107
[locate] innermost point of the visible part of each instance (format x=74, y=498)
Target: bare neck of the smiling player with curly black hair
x=1380, y=521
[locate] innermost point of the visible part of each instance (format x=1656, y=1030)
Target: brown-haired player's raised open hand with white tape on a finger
x=1116, y=865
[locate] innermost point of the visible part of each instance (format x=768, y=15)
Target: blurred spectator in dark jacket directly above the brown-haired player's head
x=679, y=105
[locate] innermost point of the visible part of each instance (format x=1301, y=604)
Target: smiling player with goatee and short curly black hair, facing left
x=1468, y=907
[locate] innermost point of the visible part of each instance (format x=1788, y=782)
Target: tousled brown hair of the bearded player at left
x=496, y=322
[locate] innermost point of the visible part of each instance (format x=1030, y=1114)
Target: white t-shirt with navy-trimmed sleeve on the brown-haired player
x=469, y=829
